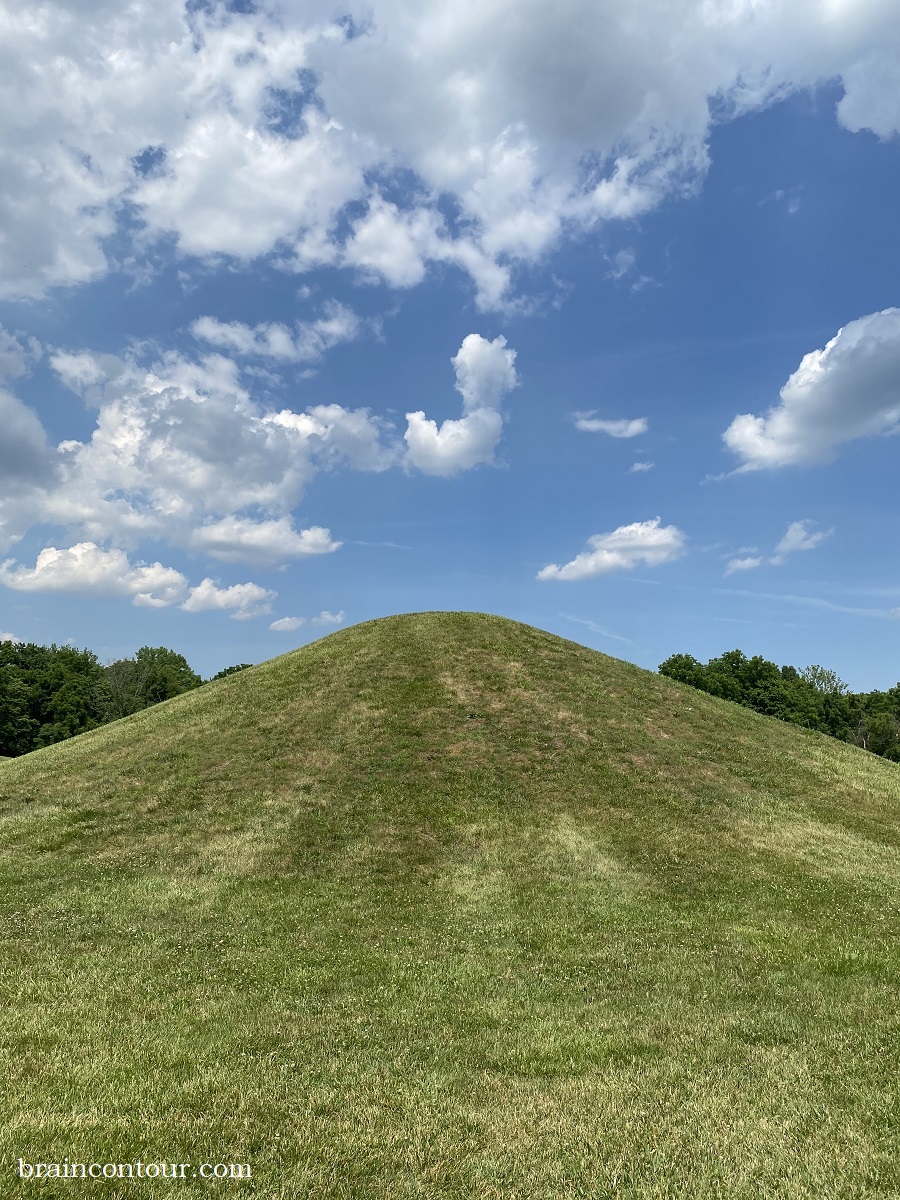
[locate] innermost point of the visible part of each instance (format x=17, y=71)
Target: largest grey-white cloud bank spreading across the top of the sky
x=283, y=131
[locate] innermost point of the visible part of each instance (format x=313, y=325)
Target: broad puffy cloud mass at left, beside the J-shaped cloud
x=182, y=453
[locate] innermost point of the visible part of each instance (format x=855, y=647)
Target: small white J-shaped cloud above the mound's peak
x=485, y=373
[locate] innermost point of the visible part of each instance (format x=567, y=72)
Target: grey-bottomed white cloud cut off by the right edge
x=849, y=391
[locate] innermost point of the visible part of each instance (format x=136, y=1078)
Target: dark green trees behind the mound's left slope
x=51, y=693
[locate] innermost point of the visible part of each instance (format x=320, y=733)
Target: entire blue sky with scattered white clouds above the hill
x=579, y=314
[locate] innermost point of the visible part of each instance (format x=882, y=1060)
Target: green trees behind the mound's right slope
x=813, y=698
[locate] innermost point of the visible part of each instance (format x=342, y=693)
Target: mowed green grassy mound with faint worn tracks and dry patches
x=446, y=907
